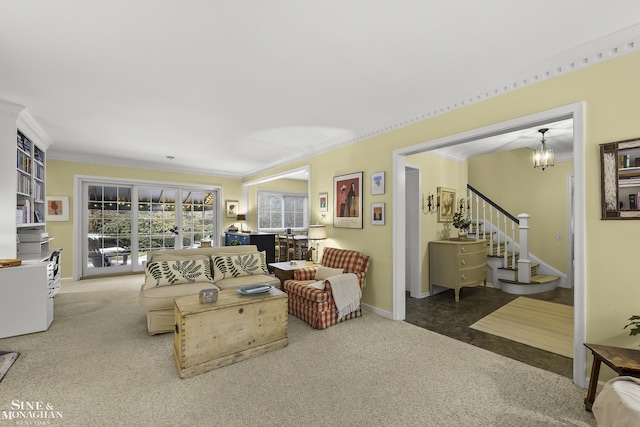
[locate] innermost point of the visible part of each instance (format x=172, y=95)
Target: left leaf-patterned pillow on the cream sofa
x=166, y=273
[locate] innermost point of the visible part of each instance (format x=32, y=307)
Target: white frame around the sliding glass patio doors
x=78, y=208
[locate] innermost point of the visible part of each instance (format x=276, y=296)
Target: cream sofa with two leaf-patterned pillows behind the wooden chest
x=158, y=292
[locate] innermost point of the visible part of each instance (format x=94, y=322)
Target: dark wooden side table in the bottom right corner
x=624, y=361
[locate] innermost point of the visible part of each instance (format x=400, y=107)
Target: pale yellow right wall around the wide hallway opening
x=610, y=92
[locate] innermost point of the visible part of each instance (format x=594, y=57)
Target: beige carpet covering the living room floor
x=97, y=366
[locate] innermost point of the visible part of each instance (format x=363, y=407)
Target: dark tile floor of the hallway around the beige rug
x=440, y=313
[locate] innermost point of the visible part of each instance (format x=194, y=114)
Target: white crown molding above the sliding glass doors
x=136, y=164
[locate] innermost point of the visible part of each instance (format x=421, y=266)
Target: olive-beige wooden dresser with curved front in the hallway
x=456, y=264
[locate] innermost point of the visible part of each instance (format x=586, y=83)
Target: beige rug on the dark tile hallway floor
x=540, y=324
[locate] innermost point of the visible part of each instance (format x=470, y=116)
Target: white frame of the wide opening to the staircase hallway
x=574, y=111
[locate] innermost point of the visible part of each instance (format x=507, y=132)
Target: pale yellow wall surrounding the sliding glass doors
x=60, y=181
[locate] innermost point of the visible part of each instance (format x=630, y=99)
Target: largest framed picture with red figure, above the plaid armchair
x=347, y=200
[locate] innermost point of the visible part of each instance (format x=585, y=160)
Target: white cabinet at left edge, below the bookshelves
x=26, y=295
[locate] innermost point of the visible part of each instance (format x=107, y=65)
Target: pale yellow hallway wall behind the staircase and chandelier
x=508, y=179
